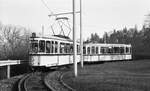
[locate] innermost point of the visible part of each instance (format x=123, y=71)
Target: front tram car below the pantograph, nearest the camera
x=51, y=51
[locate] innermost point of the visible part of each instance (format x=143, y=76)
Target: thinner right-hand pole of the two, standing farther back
x=81, y=39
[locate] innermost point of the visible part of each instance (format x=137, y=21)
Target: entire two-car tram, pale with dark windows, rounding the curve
x=57, y=50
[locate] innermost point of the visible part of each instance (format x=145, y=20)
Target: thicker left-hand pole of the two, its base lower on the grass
x=74, y=40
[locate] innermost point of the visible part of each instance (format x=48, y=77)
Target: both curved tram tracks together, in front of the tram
x=42, y=81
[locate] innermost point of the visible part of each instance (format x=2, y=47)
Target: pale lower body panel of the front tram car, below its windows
x=49, y=61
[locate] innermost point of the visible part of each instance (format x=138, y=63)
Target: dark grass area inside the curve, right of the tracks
x=112, y=76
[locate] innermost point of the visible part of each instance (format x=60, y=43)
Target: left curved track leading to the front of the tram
x=33, y=82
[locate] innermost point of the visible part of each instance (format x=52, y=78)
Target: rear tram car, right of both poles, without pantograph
x=94, y=52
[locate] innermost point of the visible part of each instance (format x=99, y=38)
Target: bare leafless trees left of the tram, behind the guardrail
x=14, y=41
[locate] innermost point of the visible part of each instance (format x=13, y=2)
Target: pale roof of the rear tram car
x=107, y=45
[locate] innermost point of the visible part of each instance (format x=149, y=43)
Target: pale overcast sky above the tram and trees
x=99, y=16
